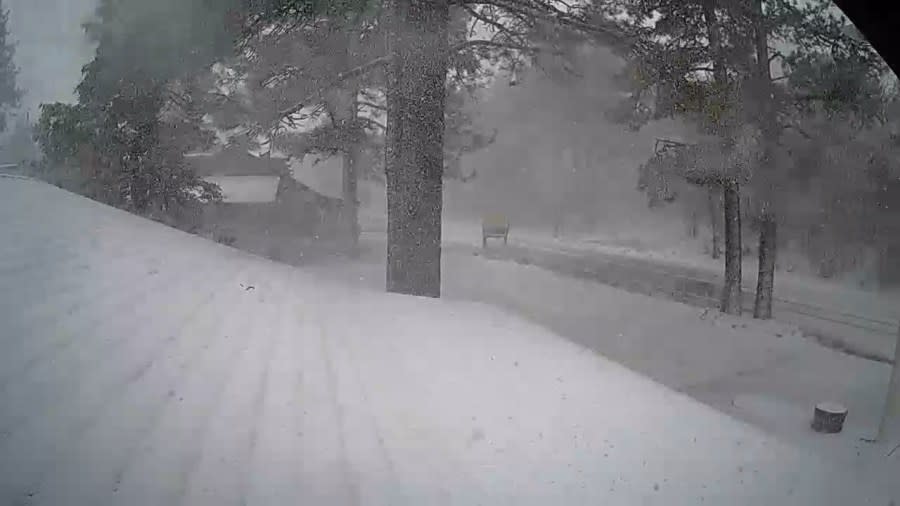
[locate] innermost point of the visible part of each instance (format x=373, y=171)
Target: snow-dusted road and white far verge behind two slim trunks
x=860, y=322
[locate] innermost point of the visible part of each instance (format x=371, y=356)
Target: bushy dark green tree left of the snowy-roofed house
x=129, y=152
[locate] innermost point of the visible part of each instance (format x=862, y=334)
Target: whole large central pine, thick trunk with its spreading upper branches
x=419, y=57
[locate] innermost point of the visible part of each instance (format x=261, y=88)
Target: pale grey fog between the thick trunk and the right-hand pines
x=558, y=158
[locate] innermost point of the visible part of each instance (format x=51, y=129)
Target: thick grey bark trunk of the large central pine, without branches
x=415, y=145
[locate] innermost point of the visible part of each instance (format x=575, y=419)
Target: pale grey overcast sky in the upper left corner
x=51, y=47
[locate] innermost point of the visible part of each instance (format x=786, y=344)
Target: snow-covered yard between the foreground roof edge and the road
x=764, y=373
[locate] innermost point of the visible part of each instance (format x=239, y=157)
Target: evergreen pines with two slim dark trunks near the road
x=711, y=61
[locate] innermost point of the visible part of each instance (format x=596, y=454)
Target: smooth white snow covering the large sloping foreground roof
x=142, y=365
